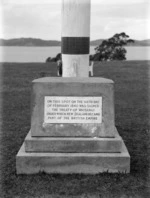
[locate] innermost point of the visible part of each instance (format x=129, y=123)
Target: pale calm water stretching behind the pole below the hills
x=40, y=54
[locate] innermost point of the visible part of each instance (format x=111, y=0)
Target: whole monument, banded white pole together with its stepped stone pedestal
x=72, y=118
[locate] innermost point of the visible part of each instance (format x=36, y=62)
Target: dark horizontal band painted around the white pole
x=75, y=45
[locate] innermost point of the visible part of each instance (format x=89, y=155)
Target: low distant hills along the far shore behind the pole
x=43, y=43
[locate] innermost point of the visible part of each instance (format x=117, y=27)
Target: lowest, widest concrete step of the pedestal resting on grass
x=88, y=163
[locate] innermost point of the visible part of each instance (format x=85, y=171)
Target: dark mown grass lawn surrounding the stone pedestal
x=132, y=108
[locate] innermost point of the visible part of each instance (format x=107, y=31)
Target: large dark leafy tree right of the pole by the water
x=112, y=49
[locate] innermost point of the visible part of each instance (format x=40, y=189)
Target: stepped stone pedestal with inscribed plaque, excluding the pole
x=72, y=129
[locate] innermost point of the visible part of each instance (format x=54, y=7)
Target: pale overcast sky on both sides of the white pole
x=42, y=18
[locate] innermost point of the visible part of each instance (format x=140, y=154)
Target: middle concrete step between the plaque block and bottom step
x=74, y=145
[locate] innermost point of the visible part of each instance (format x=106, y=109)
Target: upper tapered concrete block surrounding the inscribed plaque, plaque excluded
x=54, y=86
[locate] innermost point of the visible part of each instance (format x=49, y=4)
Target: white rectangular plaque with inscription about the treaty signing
x=72, y=109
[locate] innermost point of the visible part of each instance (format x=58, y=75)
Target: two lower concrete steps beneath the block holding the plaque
x=114, y=158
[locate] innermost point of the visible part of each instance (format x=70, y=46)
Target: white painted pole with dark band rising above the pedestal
x=75, y=37
